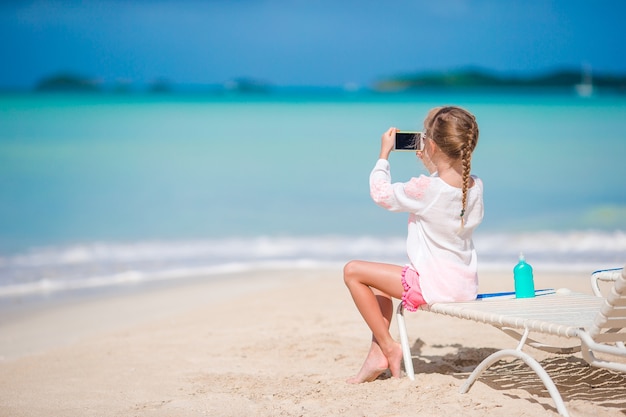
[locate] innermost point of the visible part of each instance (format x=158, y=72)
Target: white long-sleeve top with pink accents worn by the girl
x=438, y=249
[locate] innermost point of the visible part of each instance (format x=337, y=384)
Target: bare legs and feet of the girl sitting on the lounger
x=372, y=285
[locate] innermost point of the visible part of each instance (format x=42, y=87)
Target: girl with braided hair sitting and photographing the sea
x=444, y=209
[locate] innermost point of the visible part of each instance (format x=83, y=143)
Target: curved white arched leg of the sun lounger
x=528, y=360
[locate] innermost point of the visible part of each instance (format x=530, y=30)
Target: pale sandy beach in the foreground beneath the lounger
x=280, y=343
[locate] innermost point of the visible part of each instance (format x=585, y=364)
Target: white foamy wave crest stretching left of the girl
x=244, y=249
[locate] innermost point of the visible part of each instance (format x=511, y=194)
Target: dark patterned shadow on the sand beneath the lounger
x=574, y=378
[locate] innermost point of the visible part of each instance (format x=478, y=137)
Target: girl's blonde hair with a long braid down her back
x=455, y=132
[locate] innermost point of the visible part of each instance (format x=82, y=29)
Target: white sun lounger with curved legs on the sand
x=596, y=324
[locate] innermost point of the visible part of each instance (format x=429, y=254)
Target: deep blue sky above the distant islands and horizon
x=303, y=43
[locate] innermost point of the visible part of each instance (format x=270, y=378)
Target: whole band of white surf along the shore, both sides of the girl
x=99, y=264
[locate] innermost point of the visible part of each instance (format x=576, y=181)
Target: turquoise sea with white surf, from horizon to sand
x=105, y=190
